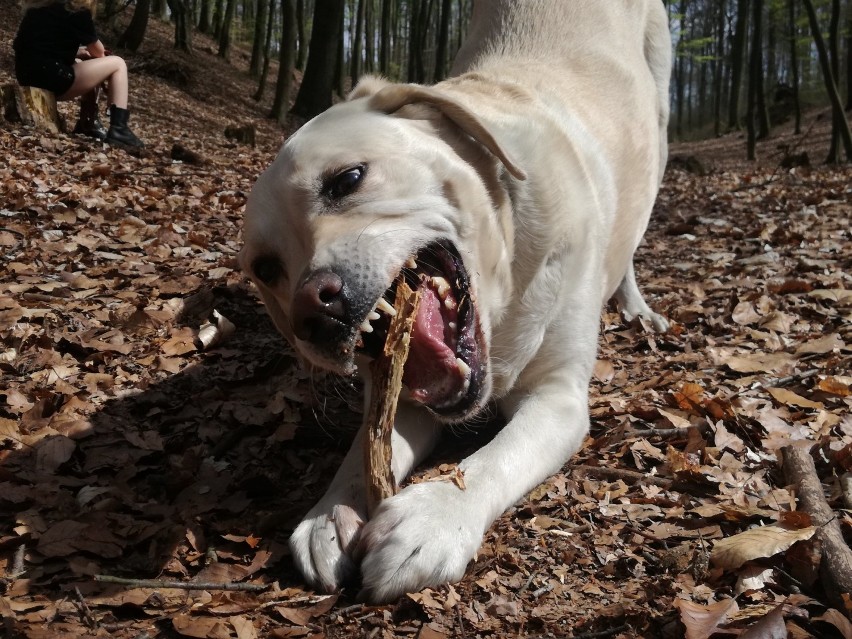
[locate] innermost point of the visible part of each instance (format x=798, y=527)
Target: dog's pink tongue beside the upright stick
x=430, y=372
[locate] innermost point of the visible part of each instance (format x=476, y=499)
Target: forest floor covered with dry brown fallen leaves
x=128, y=449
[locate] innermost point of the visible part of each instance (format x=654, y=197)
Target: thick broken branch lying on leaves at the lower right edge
x=836, y=564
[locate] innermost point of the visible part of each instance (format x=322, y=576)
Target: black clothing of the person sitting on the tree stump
x=46, y=46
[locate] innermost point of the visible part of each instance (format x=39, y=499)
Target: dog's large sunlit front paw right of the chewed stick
x=424, y=536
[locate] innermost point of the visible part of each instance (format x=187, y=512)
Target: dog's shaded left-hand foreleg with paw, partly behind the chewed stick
x=322, y=544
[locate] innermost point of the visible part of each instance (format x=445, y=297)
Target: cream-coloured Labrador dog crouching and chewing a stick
x=513, y=195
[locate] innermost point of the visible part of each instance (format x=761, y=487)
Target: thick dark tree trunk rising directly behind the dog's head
x=318, y=82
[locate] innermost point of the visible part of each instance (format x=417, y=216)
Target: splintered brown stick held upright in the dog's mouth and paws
x=386, y=384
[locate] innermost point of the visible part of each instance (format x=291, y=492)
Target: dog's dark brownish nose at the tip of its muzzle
x=320, y=308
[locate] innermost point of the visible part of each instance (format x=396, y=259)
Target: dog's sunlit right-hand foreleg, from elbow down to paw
x=427, y=534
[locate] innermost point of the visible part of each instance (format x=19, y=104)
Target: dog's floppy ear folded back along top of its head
x=392, y=97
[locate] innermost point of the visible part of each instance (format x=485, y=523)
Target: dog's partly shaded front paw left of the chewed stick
x=322, y=545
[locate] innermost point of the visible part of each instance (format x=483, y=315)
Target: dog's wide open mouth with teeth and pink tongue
x=444, y=366
